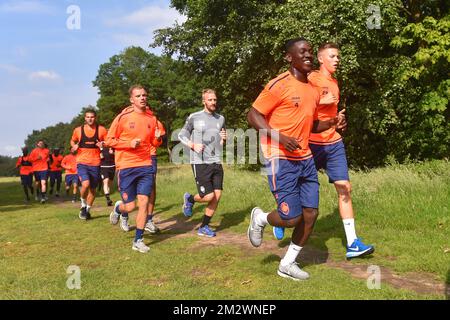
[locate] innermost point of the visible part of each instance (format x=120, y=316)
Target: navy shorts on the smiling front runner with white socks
x=295, y=186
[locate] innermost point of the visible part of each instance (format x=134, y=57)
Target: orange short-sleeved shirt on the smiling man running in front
x=289, y=107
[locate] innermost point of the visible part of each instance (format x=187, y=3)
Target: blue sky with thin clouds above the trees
x=47, y=69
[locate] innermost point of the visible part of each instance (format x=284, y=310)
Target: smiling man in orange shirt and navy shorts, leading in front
x=286, y=110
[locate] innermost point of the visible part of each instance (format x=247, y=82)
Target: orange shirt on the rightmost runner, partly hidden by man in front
x=324, y=85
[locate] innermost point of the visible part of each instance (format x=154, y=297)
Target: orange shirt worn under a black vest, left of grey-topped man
x=86, y=156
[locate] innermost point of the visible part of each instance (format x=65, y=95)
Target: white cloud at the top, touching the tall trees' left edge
x=150, y=16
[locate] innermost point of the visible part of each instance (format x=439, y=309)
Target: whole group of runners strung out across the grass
x=297, y=110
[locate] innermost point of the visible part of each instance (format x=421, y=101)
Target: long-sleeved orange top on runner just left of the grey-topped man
x=127, y=126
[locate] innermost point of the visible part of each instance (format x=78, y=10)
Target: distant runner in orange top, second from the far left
x=39, y=158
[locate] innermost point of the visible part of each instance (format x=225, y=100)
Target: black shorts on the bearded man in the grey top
x=208, y=177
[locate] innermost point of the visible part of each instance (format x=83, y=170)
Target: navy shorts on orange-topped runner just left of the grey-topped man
x=134, y=181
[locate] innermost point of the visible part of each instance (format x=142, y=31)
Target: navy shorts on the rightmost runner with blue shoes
x=333, y=159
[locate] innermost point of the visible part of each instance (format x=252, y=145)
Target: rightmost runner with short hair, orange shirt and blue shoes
x=328, y=148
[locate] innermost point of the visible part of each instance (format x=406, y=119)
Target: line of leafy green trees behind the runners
x=394, y=75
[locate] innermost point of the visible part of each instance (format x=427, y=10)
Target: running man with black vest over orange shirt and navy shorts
x=86, y=141
